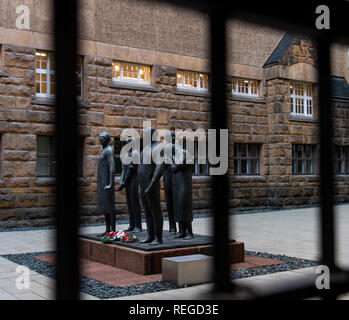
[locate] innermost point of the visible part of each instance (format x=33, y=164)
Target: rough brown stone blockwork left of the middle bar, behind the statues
x=27, y=200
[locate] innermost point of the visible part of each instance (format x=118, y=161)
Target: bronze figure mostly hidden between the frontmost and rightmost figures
x=168, y=177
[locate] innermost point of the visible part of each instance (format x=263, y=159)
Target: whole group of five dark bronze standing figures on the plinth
x=142, y=181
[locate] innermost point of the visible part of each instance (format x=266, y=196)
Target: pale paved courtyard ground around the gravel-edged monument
x=290, y=232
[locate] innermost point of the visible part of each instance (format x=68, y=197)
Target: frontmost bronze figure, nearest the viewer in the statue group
x=149, y=184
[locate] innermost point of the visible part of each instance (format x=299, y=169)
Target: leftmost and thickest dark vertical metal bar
x=67, y=206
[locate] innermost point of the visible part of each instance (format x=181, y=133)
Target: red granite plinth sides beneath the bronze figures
x=146, y=262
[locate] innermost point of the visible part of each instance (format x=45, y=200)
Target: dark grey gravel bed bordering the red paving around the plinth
x=105, y=291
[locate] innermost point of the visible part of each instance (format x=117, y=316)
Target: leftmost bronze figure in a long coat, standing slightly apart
x=105, y=183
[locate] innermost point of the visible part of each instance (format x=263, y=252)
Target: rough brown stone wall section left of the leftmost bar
x=23, y=196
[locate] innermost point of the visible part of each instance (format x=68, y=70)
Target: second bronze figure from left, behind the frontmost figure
x=129, y=181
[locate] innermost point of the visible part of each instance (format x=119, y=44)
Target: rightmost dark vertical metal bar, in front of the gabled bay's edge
x=326, y=163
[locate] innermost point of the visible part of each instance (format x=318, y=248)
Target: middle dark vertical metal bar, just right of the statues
x=219, y=121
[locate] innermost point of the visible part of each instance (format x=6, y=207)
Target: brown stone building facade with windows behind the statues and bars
x=273, y=128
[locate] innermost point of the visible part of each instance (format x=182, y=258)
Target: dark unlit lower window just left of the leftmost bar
x=45, y=166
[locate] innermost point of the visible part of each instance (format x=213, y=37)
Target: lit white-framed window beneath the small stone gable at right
x=301, y=99
